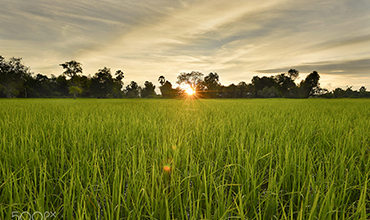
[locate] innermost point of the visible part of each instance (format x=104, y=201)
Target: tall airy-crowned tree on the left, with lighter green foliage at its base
x=72, y=70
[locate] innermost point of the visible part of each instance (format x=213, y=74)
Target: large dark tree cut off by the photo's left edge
x=13, y=74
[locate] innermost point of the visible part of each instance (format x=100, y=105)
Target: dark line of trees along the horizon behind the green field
x=17, y=80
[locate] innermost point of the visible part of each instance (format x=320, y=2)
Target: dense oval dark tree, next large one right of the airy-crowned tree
x=102, y=83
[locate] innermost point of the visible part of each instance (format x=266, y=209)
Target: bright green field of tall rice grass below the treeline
x=185, y=159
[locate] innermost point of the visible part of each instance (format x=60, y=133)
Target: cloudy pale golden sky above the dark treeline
x=237, y=39
